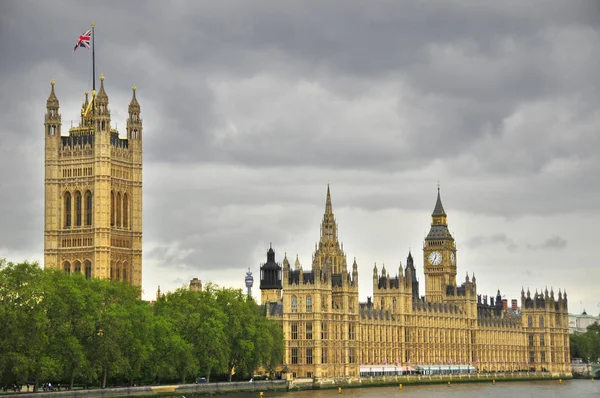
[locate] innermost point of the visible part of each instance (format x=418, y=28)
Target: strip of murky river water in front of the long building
x=544, y=389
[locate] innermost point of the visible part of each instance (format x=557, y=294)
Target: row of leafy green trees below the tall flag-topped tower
x=66, y=329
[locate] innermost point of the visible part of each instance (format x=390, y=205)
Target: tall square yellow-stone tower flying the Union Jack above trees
x=93, y=192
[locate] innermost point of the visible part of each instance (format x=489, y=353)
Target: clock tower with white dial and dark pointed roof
x=439, y=255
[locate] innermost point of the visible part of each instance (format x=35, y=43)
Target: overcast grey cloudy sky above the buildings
x=251, y=108
